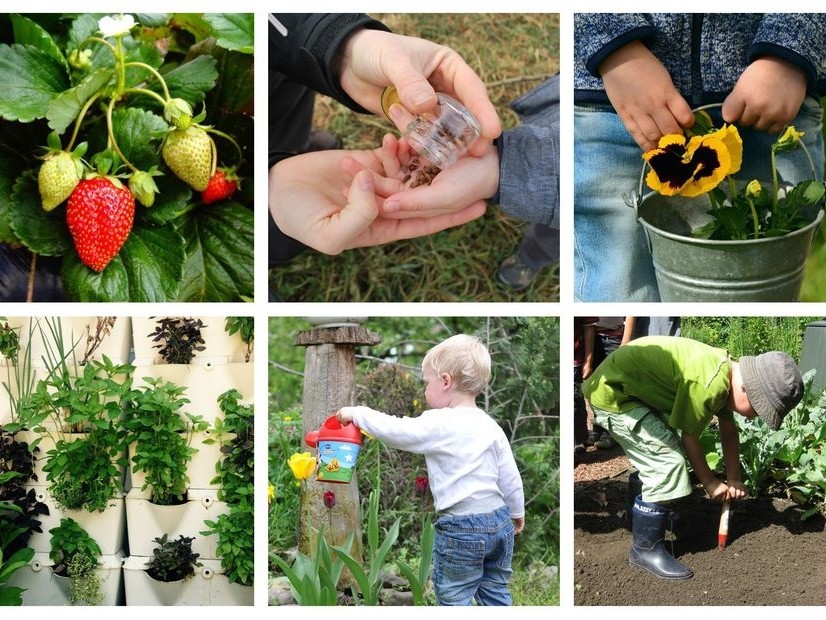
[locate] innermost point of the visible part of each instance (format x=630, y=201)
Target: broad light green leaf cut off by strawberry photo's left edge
x=31, y=78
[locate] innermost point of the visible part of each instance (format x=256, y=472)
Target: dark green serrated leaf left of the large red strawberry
x=43, y=233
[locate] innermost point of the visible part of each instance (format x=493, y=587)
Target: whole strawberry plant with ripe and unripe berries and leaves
x=110, y=130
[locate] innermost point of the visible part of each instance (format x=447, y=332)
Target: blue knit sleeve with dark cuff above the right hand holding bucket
x=798, y=38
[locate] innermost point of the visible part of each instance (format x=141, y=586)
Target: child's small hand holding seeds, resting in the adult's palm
x=470, y=181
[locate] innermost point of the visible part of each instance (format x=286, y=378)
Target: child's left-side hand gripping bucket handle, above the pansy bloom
x=643, y=94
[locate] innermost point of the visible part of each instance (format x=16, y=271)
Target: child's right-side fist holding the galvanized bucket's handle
x=767, y=96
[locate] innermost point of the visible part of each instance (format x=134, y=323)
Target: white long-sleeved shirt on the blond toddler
x=467, y=454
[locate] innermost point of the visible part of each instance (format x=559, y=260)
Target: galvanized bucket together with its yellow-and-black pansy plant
x=714, y=238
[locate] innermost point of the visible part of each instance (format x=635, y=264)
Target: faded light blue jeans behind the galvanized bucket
x=611, y=257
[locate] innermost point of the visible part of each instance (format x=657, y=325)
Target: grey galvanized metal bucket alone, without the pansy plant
x=692, y=269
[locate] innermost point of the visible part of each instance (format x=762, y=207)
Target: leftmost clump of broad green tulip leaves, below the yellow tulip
x=314, y=580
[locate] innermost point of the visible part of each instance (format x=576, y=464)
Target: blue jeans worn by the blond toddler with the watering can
x=472, y=558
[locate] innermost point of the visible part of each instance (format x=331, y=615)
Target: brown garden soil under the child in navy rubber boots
x=772, y=557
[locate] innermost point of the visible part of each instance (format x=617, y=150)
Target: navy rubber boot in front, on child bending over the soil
x=648, y=546
